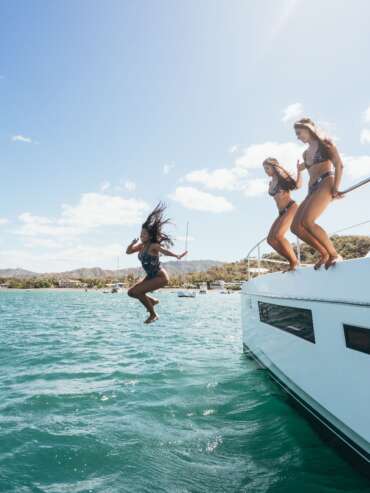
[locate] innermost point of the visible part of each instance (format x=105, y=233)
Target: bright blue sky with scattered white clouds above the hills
x=109, y=107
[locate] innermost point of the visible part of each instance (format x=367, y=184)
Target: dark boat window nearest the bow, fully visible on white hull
x=296, y=321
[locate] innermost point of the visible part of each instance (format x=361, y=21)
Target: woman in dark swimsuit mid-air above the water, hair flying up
x=151, y=245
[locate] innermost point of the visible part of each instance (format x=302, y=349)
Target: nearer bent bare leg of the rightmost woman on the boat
x=320, y=200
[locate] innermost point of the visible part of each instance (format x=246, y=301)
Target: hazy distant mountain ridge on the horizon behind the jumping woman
x=173, y=268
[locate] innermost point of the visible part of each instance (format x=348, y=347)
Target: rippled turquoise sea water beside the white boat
x=92, y=400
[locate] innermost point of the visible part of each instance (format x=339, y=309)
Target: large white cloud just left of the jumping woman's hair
x=93, y=210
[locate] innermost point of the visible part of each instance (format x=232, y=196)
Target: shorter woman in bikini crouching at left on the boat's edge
x=279, y=188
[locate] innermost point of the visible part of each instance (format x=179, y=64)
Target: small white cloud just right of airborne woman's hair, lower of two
x=192, y=198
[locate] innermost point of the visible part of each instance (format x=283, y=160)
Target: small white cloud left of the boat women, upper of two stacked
x=218, y=179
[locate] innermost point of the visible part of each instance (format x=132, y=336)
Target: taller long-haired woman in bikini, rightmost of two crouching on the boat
x=319, y=159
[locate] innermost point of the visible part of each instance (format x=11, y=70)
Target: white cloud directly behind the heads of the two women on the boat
x=286, y=153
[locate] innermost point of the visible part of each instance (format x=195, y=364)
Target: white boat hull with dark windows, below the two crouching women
x=307, y=351
